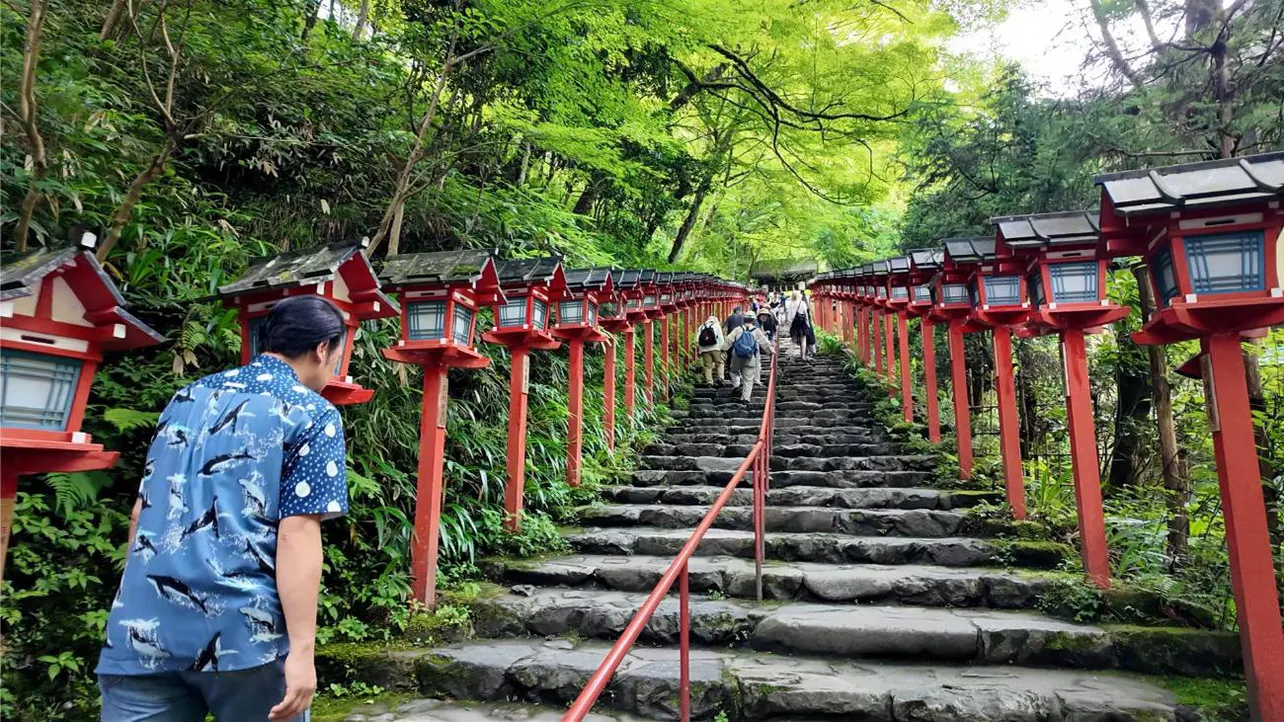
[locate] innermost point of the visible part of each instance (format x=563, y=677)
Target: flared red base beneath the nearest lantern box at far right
x=1187, y=322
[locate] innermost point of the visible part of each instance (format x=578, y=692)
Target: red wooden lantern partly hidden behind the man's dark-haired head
x=340, y=273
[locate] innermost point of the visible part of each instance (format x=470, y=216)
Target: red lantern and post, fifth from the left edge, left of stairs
x=577, y=324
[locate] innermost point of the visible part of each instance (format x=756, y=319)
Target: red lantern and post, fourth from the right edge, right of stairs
x=955, y=308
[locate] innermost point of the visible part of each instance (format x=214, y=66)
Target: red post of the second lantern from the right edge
x=1083, y=453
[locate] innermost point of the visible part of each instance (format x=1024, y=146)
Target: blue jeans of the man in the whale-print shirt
x=245, y=696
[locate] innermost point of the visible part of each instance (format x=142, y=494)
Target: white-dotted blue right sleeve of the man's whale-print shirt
x=315, y=476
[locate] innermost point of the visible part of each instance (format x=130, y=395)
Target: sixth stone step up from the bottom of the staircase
x=806, y=497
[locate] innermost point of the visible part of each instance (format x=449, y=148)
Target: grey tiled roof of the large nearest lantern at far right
x=1196, y=186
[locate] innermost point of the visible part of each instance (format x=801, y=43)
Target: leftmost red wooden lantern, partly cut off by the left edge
x=61, y=313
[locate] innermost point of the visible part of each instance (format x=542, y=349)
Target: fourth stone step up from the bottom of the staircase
x=793, y=547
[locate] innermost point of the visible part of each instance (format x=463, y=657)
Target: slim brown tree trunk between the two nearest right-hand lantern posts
x=1177, y=481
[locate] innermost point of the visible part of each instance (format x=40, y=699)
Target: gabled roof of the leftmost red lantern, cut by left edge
x=103, y=305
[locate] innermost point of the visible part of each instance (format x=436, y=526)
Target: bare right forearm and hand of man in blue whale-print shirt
x=299, y=581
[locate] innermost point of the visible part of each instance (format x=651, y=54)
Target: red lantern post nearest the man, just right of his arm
x=429, y=491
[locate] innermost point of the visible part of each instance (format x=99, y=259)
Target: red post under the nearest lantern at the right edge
x=1253, y=572
